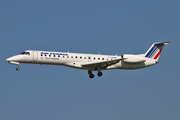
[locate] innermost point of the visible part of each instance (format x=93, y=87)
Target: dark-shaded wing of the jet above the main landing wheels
x=103, y=65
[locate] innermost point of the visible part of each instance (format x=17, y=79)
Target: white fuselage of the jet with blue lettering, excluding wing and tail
x=76, y=60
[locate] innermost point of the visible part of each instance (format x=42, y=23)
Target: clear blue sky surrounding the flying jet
x=98, y=26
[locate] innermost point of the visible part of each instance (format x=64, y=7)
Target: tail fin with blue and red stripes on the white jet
x=155, y=50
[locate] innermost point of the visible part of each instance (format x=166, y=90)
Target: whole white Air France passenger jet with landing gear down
x=91, y=62
